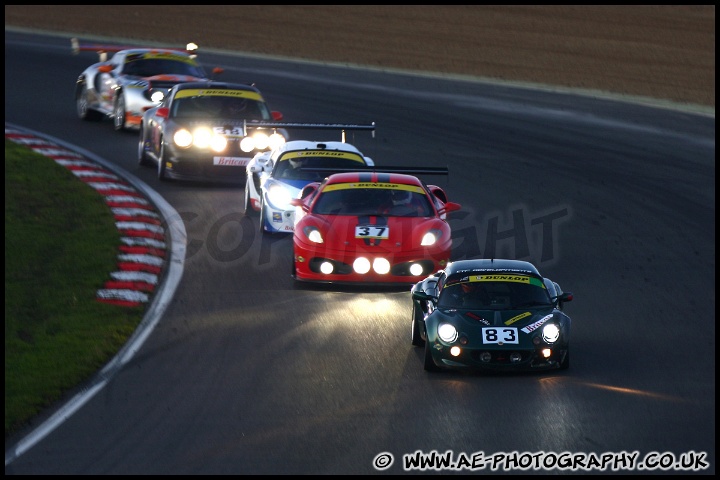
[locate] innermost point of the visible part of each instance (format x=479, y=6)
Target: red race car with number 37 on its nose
x=371, y=227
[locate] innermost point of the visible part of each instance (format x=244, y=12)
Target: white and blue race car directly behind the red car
x=277, y=176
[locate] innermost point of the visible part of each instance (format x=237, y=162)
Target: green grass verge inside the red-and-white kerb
x=61, y=244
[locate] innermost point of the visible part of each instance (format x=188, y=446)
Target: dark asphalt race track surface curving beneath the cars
x=248, y=373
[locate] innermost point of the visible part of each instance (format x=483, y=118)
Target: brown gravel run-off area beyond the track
x=665, y=52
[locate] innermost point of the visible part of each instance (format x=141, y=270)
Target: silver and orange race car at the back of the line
x=132, y=81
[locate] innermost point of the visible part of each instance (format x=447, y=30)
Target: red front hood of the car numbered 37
x=403, y=233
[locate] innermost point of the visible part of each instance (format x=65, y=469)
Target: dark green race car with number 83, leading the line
x=491, y=314
